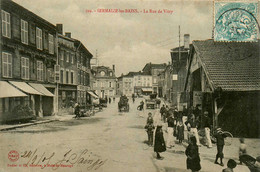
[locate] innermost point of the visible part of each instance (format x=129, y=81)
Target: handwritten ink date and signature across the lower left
x=69, y=159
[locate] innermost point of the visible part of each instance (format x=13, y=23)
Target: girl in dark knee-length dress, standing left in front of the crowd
x=159, y=143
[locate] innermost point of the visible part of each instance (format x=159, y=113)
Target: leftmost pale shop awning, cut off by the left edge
x=7, y=90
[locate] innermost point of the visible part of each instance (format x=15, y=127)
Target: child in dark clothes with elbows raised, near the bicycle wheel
x=220, y=136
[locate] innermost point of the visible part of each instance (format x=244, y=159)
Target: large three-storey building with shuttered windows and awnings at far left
x=28, y=56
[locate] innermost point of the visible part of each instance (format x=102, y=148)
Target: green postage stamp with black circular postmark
x=235, y=21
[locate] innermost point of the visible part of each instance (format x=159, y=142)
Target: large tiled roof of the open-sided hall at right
x=233, y=66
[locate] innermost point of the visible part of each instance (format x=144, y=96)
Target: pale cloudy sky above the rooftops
x=128, y=40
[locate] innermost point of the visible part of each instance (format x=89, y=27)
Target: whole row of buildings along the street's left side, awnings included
x=43, y=70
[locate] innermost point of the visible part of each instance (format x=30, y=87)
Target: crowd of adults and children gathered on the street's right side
x=175, y=128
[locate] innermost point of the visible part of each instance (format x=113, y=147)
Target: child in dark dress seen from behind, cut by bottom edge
x=192, y=153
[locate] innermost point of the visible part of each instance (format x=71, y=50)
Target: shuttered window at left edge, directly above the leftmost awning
x=7, y=65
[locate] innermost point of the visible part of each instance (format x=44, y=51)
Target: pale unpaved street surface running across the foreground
x=110, y=141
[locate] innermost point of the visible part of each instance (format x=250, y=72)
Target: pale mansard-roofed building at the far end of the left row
x=104, y=81
